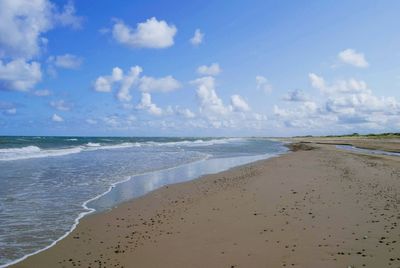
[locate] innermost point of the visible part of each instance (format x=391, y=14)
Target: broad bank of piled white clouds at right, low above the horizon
x=346, y=103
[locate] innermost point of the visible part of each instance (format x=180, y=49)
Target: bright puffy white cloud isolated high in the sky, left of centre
x=149, y=34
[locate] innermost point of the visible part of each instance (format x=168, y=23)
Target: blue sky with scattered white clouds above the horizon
x=199, y=68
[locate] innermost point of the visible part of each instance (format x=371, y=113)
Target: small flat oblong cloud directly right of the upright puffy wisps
x=163, y=84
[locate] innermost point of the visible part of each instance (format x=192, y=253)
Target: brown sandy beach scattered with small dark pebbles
x=310, y=208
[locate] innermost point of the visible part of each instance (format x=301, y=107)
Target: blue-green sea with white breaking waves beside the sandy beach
x=48, y=183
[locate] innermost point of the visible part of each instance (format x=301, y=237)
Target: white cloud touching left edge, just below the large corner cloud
x=19, y=75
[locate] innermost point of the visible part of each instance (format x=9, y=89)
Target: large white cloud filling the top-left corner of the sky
x=23, y=23
